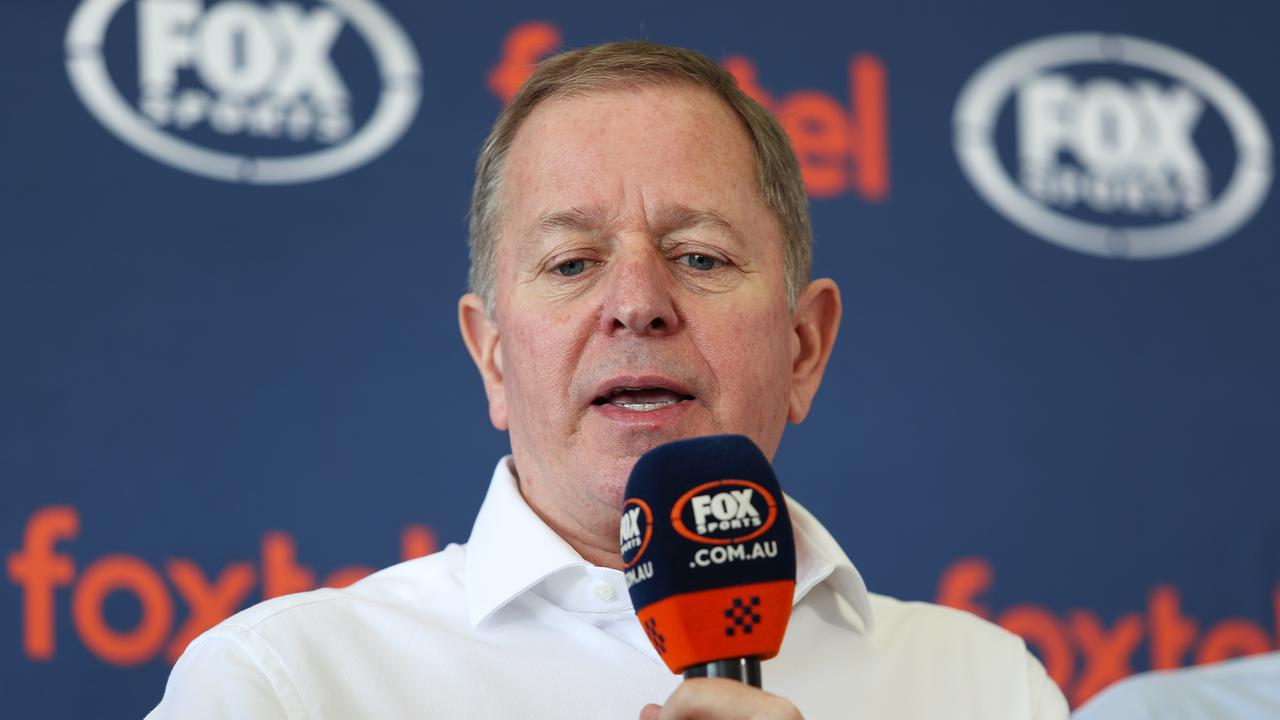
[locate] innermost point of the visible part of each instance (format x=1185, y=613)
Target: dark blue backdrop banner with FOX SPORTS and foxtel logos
x=234, y=235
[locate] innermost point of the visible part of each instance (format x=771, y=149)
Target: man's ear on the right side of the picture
x=816, y=322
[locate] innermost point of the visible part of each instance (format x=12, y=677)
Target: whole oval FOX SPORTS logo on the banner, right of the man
x=1113, y=145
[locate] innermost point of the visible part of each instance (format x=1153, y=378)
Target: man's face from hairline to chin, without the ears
x=641, y=294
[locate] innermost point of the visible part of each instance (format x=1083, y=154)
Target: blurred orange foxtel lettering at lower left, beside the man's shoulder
x=40, y=571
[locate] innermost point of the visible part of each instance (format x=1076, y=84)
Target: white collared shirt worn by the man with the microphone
x=516, y=625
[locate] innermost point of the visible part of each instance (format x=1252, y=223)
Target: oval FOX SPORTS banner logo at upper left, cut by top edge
x=246, y=92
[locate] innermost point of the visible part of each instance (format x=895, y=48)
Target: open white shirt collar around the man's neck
x=511, y=553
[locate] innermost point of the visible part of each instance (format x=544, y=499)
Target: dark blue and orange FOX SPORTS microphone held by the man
x=710, y=557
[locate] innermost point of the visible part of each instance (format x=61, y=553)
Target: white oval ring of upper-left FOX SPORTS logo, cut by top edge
x=397, y=104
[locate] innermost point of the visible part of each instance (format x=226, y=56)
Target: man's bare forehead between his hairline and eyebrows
x=634, y=152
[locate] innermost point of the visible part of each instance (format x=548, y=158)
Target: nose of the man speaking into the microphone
x=641, y=295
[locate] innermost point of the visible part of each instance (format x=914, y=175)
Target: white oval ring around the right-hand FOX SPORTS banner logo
x=986, y=93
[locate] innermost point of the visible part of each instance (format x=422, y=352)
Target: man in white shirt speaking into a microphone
x=641, y=274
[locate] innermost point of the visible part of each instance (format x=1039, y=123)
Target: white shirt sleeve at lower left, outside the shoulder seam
x=228, y=677
